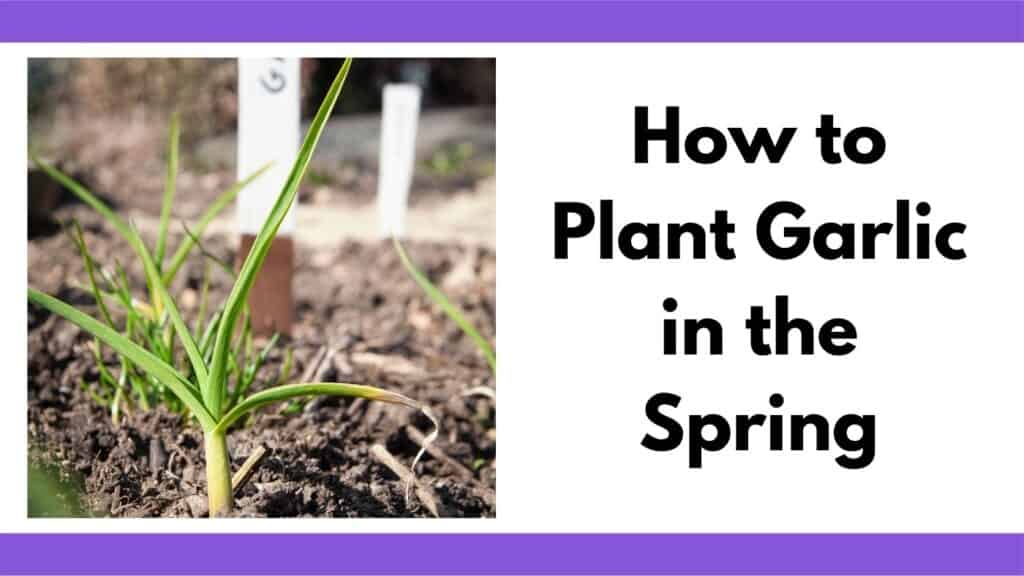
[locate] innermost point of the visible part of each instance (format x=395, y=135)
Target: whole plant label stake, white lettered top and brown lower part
x=269, y=132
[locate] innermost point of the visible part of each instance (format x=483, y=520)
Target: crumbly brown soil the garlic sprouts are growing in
x=357, y=308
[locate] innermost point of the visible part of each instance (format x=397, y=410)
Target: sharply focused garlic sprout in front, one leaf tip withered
x=207, y=396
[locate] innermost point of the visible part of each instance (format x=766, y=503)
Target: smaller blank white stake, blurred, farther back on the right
x=401, y=115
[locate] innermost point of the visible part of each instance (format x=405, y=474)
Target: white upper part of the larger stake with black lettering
x=269, y=132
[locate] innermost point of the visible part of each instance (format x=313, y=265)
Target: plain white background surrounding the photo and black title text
x=940, y=342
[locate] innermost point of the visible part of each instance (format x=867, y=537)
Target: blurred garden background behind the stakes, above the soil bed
x=105, y=121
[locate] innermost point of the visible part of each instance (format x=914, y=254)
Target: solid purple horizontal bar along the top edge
x=511, y=21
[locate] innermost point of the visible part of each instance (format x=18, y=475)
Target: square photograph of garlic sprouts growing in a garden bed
x=262, y=287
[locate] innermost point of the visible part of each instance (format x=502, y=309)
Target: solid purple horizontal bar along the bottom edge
x=511, y=554
